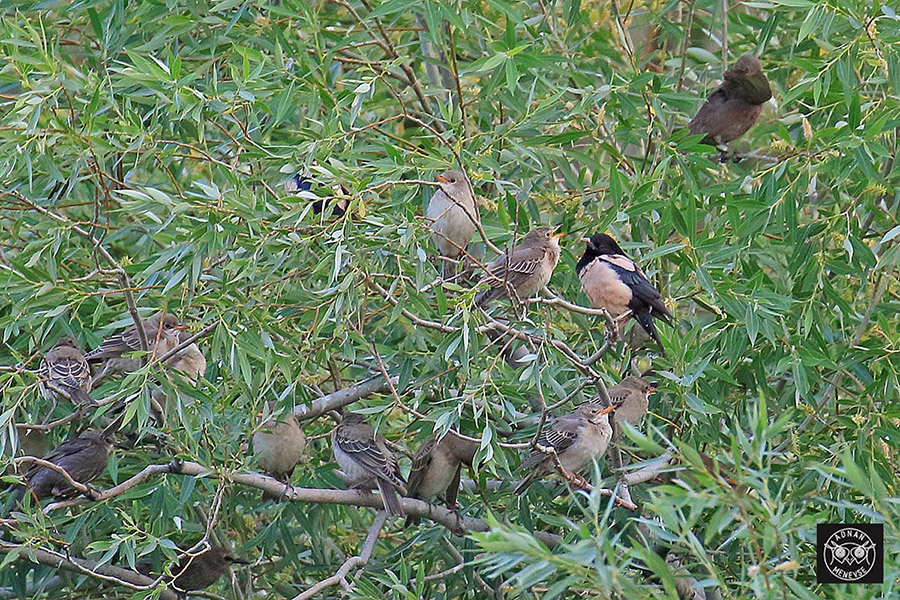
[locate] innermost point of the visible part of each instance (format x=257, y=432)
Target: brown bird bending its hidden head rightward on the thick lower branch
x=437, y=467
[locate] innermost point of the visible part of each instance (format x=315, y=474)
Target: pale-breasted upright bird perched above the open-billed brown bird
x=453, y=217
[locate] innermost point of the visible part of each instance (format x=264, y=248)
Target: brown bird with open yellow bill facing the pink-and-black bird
x=526, y=268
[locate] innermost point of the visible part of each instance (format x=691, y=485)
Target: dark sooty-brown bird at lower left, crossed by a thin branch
x=84, y=458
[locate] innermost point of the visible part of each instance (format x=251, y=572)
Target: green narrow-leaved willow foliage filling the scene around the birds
x=166, y=129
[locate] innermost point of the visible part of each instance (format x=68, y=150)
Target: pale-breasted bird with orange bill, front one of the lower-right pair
x=578, y=438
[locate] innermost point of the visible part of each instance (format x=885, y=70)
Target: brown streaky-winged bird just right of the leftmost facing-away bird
x=161, y=331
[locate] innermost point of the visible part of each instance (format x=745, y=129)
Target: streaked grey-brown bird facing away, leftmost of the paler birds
x=65, y=374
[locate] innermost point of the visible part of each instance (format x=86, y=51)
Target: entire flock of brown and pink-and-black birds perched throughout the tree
x=567, y=445
